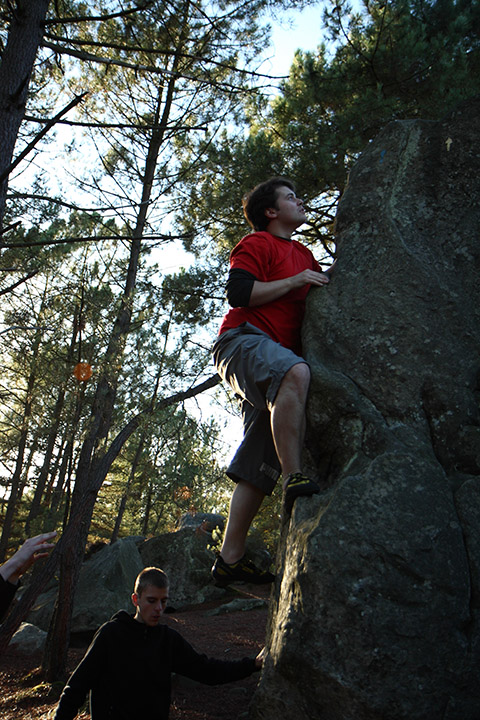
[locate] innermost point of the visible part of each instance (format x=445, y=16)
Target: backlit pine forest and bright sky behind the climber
x=128, y=129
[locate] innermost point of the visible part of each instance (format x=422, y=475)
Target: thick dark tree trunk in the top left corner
x=24, y=37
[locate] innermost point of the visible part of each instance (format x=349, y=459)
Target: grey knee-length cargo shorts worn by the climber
x=254, y=365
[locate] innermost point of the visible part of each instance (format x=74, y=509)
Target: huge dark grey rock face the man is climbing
x=376, y=615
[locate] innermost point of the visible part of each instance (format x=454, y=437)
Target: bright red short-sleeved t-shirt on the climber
x=271, y=258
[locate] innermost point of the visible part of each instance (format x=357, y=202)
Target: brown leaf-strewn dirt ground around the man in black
x=233, y=635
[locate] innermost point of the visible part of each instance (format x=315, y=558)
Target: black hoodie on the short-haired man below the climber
x=128, y=668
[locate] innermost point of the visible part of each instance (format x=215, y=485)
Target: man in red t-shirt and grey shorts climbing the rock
x=258, y=353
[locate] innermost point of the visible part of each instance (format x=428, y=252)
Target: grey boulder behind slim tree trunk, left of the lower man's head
x=105, y=586
